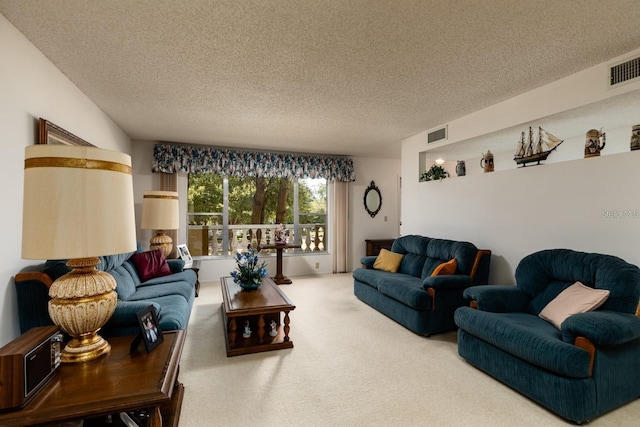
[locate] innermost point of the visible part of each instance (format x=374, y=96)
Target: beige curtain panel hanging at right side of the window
x=339, y=233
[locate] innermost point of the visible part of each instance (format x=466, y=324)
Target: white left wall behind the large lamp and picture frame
x=33, y=87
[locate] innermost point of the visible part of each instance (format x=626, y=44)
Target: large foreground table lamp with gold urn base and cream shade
x=78, y=205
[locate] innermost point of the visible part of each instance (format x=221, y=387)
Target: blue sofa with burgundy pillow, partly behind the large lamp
x=172, y=295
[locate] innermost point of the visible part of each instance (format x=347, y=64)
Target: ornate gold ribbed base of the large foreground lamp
x=83, y=300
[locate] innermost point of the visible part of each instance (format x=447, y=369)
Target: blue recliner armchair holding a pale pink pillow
x=588, y=366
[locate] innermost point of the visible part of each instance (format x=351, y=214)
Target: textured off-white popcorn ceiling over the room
x=320, y=76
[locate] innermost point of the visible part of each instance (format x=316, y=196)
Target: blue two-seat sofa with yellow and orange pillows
x=413, y=297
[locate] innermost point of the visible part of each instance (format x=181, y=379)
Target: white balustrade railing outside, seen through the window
x=208, y=240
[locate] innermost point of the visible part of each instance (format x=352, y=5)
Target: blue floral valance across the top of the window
x=169, y=158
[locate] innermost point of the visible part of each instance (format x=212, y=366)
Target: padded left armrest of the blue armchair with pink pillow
x=497, y=298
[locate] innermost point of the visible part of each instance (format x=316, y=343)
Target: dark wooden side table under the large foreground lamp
x=118, y=382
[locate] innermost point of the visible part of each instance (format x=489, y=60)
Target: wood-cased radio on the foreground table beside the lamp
x=27, y=364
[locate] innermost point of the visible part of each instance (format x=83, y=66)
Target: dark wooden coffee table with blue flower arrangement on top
x=259, y=308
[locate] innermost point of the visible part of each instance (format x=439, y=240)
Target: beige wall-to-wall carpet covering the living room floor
x=351, y=366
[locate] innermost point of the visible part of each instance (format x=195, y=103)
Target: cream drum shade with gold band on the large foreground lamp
x=78, y=203
